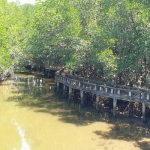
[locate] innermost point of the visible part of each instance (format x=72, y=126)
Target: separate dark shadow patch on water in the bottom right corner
x=128, y=132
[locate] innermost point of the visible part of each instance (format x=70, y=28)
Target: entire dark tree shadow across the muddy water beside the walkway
x=43, y=99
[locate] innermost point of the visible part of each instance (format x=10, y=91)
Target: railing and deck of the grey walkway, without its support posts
x=122, y=93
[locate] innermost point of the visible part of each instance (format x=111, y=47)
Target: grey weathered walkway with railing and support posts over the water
x=115, y=92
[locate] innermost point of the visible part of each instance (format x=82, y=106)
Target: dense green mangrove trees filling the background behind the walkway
x=98, y=39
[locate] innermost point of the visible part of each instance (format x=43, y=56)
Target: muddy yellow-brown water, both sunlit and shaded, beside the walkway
x=32, y=117
